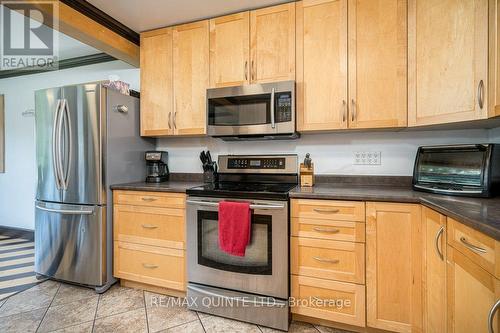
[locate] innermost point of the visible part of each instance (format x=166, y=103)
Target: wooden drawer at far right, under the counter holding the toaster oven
x=477, y=246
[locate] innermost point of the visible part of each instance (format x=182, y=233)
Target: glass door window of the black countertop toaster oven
x=461, y=168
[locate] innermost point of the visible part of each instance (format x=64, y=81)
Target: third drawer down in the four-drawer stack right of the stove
x=333, y=260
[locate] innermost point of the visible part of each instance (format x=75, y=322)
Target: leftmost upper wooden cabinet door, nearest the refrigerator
x=156, y=83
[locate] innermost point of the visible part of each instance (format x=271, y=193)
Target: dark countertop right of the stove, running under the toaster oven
x=482, y=214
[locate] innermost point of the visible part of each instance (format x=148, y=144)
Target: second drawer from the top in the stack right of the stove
x=327, y=229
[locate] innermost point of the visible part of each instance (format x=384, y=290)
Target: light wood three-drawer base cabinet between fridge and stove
x=150, y=240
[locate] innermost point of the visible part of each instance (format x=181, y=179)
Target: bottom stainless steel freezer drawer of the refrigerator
x=70, y=242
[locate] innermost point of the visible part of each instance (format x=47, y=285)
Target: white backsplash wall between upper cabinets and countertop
x=332, y=153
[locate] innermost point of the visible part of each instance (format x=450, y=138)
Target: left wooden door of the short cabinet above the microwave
x=230, y=50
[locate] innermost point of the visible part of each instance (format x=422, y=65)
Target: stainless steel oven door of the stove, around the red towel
x=264, y=268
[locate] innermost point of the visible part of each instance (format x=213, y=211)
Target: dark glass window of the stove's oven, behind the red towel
x=258, y=254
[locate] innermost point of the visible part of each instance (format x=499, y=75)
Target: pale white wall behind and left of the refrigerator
x=17, y=184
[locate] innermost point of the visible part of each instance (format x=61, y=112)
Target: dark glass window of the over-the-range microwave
x=239, y=110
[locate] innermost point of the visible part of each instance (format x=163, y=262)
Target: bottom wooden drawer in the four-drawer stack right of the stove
x=348, y=300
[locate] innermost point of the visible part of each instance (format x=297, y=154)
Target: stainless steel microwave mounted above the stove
x=254, y=111
